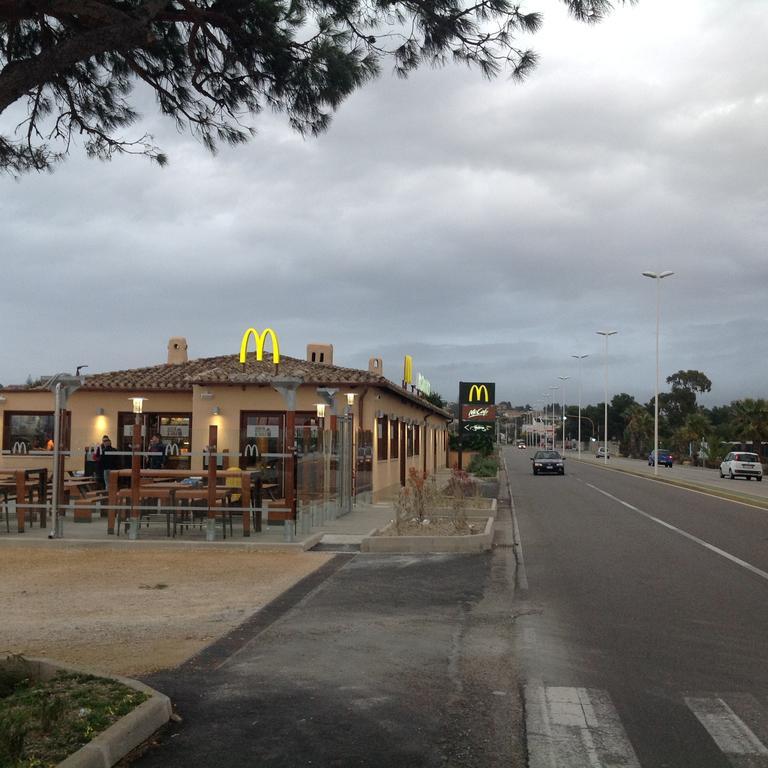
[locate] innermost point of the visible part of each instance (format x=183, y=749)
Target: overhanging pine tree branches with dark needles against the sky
x=74, y=63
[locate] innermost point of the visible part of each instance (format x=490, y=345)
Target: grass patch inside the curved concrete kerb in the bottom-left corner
x=43, y=722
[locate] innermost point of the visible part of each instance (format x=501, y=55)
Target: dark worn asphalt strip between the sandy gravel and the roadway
x=378, y=661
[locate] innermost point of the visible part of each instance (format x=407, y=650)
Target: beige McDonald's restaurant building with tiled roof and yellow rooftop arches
x=390, y=427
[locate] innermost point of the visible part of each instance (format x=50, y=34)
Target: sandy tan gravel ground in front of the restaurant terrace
x=130, y=612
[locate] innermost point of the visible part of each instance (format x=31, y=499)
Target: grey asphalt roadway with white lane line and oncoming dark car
x=642, y=627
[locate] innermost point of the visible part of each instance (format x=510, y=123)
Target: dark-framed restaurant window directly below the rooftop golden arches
x=261, y=446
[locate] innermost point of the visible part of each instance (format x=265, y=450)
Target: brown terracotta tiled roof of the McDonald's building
x=227, y=369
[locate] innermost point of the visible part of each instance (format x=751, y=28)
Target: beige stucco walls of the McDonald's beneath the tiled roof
x=88, y=426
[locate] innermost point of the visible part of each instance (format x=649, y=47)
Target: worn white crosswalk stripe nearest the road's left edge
x=575, y=728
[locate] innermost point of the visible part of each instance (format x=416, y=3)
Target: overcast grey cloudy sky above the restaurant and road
x=488, y=229
